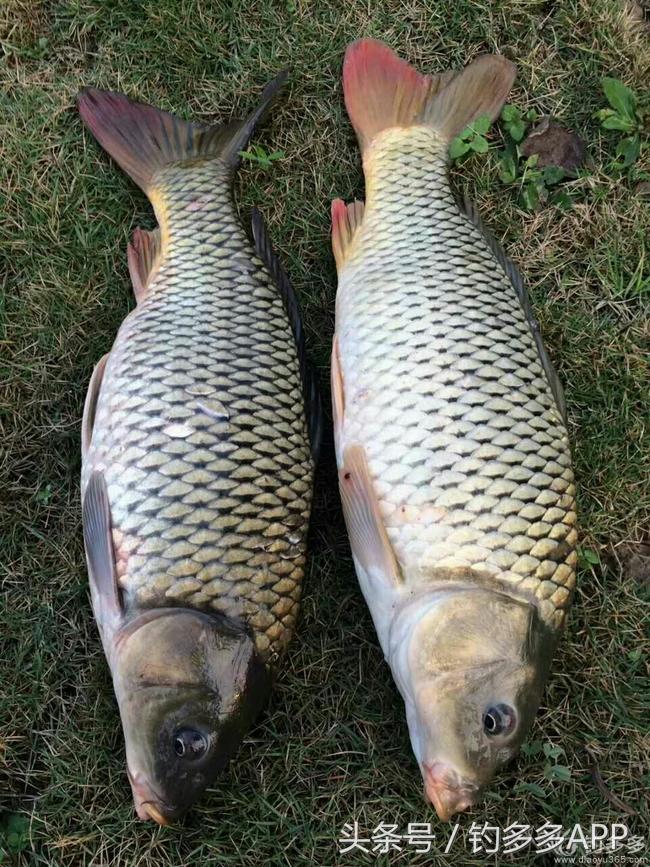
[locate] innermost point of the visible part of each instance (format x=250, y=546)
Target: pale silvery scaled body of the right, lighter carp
x=445, y=390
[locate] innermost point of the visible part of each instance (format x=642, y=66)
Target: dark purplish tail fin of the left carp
x=142, y=139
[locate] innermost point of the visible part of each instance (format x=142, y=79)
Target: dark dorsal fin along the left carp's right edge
x=311, y=394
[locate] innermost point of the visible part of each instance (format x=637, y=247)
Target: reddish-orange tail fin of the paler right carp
x=381, y=91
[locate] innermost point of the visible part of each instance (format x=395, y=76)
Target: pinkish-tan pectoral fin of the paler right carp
x=368, y=537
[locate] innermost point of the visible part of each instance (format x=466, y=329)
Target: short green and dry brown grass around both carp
x=333, y=744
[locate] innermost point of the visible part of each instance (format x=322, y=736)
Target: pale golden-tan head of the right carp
x=473, y=672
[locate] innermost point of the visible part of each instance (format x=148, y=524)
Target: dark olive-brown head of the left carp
x=189, y=685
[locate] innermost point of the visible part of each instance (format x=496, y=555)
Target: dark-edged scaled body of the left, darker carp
x=199, y=426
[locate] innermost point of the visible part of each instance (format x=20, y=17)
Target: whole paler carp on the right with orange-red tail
x=449, y=421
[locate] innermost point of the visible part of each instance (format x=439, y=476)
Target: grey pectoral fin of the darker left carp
x=99, y=554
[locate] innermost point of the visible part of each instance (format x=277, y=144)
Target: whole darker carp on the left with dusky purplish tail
x=197, y=465
